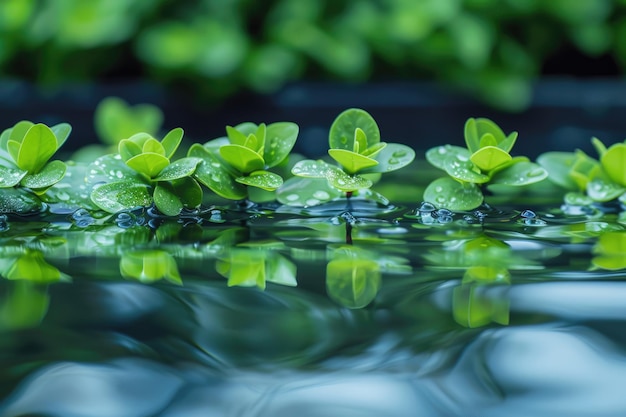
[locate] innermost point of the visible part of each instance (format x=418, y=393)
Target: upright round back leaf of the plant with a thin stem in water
x=342, y=131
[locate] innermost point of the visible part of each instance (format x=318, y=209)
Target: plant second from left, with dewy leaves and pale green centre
x=142, y=174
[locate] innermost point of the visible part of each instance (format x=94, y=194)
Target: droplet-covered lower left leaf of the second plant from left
x=124, y=195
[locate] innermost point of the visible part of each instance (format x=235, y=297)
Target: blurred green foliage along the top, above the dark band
x=490, y=48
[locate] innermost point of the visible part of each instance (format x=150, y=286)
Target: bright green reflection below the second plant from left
x=149, y=266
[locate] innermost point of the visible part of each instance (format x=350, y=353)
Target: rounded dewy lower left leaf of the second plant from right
x=454, y=195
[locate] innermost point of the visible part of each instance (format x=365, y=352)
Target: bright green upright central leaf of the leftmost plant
x=37, y=147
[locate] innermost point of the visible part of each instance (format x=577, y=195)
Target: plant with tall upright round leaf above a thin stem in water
x=354, y=141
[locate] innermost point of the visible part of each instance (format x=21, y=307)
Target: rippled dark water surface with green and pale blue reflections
x=413, y=313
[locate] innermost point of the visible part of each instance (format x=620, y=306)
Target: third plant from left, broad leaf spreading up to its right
x=241, y=160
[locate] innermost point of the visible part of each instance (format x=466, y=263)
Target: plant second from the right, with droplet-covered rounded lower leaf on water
x=485, y=161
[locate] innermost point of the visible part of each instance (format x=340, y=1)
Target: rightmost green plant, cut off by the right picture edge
x=599, y=180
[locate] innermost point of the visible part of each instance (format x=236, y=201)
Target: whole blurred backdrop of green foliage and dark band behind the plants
x=553, y=70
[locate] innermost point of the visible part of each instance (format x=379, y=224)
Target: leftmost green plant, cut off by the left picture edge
x=25, y=151
